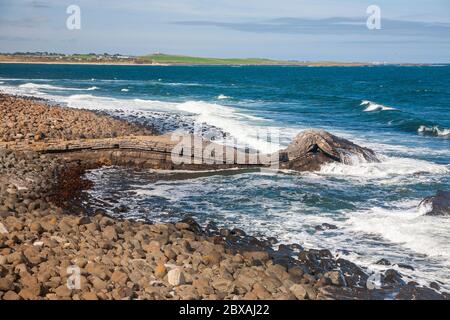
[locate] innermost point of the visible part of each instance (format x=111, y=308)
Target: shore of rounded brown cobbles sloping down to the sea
x=52, y=249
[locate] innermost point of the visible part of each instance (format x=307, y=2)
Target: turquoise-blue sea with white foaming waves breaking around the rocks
x=403, y=113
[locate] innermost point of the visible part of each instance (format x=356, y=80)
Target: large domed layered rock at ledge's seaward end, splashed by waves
x=312, y=148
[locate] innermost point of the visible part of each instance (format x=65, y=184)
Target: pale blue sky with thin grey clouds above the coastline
x=412, y=31
